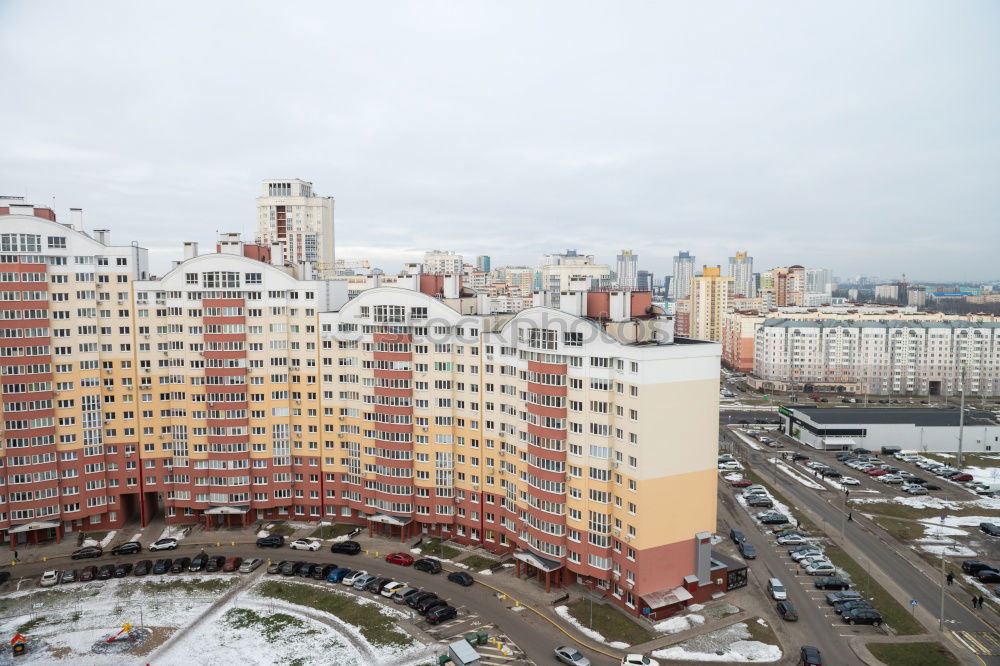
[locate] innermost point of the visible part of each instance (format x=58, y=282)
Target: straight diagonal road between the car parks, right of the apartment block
x=960, y=621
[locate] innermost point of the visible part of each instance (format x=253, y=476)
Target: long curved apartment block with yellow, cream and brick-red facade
x=231, y=390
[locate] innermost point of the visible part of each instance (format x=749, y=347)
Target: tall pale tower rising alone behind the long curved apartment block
x=292, y=216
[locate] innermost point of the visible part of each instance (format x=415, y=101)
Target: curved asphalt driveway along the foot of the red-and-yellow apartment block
x=536, y=637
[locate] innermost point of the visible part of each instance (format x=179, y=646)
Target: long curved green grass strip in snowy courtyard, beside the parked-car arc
x=376, y=626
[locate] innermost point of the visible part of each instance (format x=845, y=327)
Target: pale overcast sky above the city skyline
x=859, y=136
